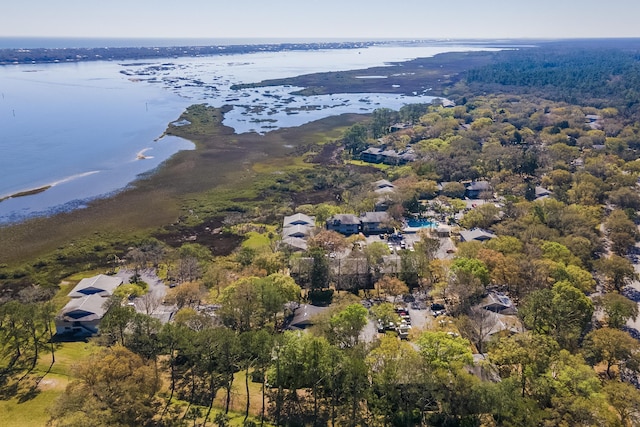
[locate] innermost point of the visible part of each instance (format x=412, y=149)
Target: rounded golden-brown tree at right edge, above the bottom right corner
x=613, y=347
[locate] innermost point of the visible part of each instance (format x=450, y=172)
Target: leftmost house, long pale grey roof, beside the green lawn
x=82, y=315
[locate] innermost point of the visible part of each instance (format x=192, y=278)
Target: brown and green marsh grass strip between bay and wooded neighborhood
x=226, y=173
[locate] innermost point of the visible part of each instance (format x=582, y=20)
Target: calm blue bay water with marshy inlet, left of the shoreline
x=83, y=127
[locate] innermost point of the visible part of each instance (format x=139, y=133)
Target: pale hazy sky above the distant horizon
x=350, y=19
